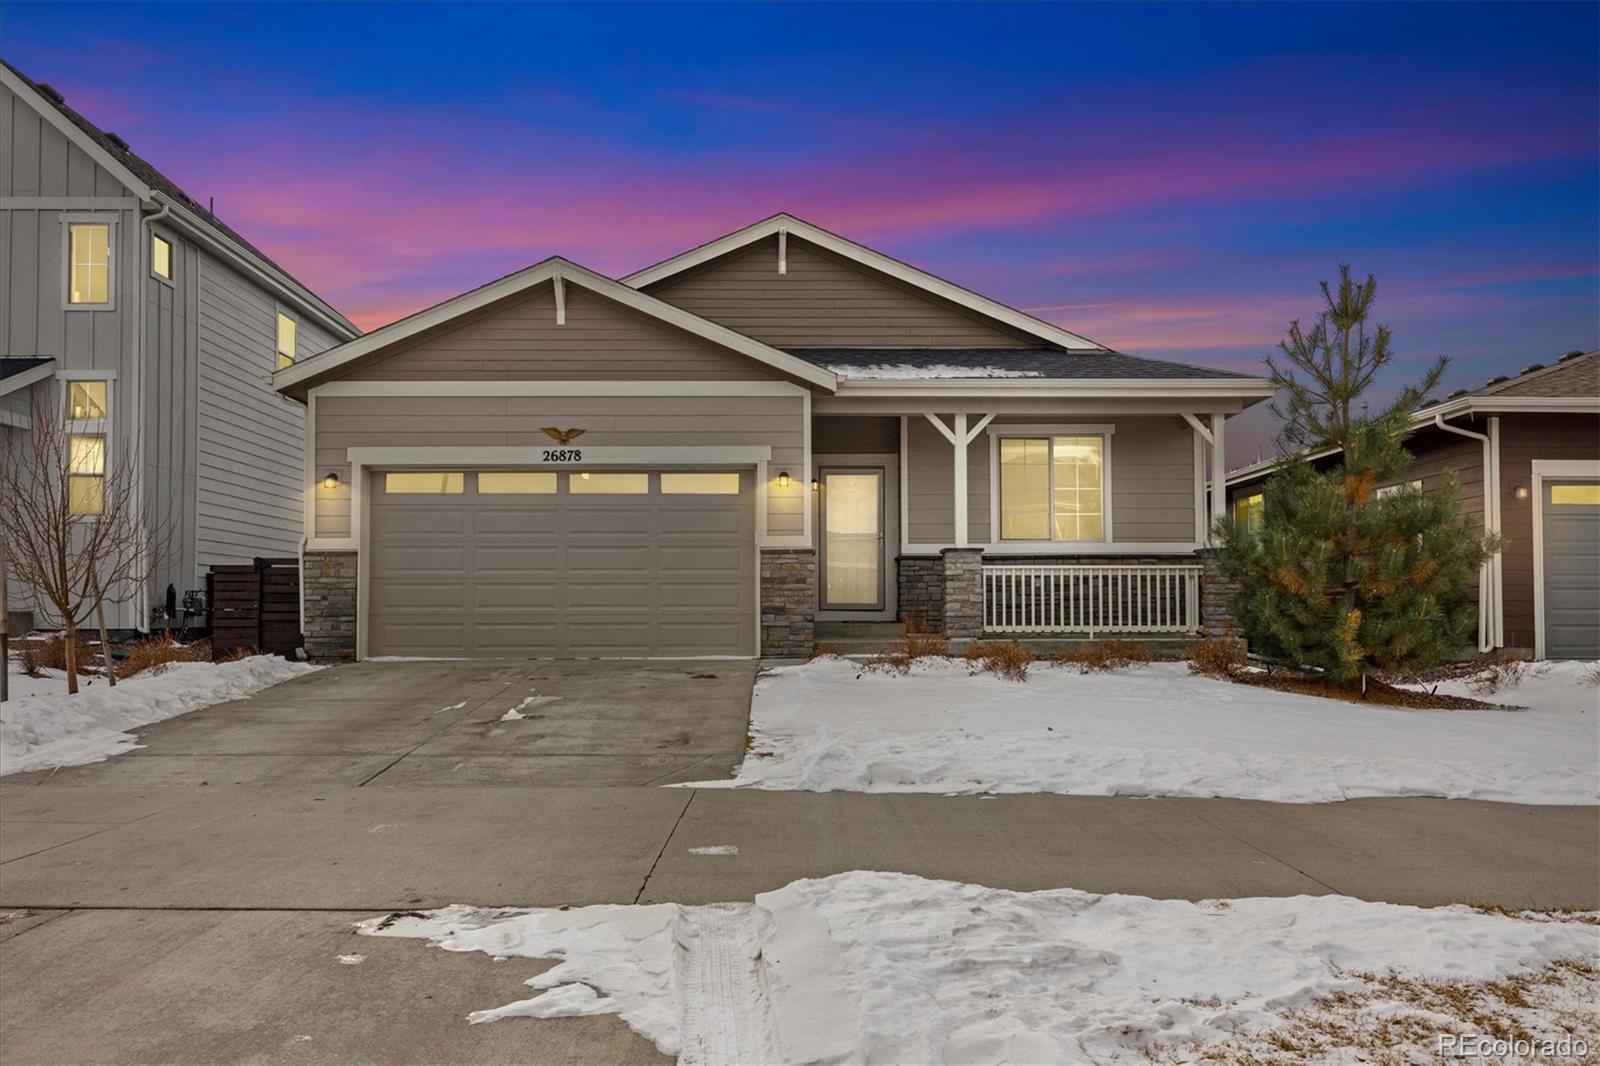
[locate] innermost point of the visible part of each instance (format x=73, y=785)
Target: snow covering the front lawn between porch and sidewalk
x=1158, y=731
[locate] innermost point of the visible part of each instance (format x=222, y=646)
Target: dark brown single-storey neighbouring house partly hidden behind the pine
x=1527, y=454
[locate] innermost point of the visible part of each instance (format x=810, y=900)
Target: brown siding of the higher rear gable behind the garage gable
x=825, y=302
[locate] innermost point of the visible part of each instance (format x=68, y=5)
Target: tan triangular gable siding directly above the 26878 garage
x=599, y=342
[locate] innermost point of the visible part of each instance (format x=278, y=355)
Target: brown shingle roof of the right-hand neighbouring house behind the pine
x=1572, y=385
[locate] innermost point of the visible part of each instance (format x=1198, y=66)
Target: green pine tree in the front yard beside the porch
x=1337, y=579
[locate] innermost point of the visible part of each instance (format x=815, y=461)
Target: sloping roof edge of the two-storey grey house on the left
x=153, y=186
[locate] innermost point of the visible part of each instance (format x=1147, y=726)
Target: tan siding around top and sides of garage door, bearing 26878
x=625, y=422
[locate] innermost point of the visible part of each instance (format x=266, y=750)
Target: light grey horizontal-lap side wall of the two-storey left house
x=250, y=465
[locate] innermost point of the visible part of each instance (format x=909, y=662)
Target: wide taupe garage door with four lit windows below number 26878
x=562, y=564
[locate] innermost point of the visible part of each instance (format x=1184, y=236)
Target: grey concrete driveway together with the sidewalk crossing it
x=191, y=902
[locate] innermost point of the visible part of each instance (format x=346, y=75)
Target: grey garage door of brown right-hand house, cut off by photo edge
x=1572, y=569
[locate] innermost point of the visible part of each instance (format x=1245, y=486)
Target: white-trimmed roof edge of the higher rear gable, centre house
x=791, y=226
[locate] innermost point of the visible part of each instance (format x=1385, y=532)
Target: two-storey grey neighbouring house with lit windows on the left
x=130, y=310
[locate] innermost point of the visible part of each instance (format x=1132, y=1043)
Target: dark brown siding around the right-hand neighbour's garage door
x=1524, y=439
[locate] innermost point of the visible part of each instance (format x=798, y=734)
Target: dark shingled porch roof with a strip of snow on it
x=990, y=363
